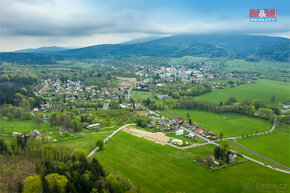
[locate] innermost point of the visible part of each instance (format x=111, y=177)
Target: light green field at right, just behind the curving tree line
x=262, y=90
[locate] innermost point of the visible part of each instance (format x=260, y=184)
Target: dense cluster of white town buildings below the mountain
x=199, y=74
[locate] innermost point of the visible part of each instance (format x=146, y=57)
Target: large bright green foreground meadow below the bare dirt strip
x=160, y=168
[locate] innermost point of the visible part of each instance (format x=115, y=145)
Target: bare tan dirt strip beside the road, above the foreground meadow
x=158, y=137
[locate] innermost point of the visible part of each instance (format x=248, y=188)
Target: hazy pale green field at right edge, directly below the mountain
x=275, y=68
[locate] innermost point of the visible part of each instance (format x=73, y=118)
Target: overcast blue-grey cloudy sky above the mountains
x=79, y=23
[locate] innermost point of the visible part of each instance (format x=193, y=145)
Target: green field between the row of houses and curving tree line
x=229, y=123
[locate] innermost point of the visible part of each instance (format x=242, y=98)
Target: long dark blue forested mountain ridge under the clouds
x=205, y=45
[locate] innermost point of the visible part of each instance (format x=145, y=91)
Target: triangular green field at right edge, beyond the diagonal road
x=273, y=145
